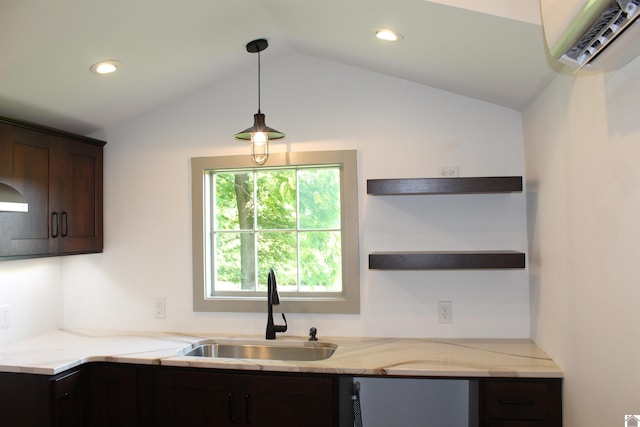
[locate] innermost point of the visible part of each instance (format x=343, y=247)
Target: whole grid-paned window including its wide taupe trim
x=297, y=214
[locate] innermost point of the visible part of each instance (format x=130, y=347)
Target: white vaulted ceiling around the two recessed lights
x=491, y=50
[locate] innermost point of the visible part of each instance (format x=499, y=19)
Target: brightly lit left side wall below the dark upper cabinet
x=33, y=291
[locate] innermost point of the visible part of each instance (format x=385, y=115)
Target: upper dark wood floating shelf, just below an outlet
x=465, y=185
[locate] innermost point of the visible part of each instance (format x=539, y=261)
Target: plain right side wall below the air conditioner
x=582, y=139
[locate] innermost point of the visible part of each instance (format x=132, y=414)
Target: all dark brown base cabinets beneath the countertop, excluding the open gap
x=109, y=395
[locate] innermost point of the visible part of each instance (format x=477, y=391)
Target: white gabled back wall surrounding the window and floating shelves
x=400, y=129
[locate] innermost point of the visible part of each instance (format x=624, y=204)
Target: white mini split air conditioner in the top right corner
x=592, y=34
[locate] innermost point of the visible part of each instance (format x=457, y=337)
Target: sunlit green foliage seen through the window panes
x=293, y=218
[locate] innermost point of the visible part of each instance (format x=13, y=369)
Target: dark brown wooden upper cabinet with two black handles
x=60, y=175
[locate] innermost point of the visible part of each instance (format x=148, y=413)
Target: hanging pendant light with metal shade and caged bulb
x=259, y=134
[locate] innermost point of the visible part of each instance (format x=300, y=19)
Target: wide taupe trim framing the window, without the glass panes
x=349, y=302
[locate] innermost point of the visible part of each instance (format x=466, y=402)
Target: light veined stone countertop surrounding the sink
x=60, y=350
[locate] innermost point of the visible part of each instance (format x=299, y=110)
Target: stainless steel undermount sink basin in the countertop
x=288, y=350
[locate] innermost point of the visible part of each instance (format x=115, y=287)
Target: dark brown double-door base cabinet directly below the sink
x=201, y=398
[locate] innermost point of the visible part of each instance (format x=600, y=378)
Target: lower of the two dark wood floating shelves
x=453, y=260
